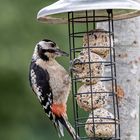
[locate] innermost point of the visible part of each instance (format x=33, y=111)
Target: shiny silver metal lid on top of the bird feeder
x=57, y=12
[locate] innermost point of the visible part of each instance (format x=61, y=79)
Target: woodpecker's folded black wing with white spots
x=39, y=81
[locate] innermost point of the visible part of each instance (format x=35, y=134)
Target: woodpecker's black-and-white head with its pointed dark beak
x=47, y=49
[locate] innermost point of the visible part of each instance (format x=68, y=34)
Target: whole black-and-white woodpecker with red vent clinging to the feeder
x=51, y=83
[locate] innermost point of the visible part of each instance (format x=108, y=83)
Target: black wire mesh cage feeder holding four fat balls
x=93, y=74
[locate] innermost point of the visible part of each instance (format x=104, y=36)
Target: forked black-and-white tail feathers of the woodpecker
x=62, y=121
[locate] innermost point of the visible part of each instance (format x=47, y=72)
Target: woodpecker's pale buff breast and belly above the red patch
x=60, y=83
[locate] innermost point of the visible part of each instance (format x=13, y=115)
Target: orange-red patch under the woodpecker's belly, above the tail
x=58, y=109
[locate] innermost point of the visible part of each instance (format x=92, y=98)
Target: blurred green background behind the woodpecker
x=21, y=116
